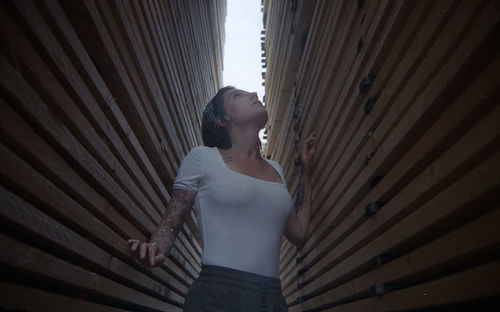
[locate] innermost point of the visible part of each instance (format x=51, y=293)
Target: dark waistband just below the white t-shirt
x=248, y=280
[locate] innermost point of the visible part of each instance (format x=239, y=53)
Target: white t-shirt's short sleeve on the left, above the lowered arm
x=190, y=172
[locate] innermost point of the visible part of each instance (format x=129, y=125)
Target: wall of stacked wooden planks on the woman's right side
x=404, y=96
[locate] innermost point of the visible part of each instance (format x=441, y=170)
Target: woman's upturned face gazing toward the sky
x=244, y=108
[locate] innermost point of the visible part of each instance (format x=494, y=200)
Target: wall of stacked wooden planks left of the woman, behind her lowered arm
x=100, y=101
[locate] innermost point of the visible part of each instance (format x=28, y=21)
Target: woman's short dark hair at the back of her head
x=211, y=132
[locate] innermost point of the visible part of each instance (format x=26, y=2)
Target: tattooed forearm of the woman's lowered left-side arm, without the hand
x=178, y=209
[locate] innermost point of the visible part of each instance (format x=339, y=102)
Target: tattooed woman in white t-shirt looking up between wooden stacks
x=243, y=209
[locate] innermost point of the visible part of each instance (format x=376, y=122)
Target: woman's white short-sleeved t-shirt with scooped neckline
x=241, y=218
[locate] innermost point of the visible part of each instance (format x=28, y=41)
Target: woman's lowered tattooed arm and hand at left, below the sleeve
x=163, y=237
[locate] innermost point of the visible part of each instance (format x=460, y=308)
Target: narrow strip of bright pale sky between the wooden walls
x=242, y=47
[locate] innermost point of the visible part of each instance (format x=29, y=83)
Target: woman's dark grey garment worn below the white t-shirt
x=220, y=289
